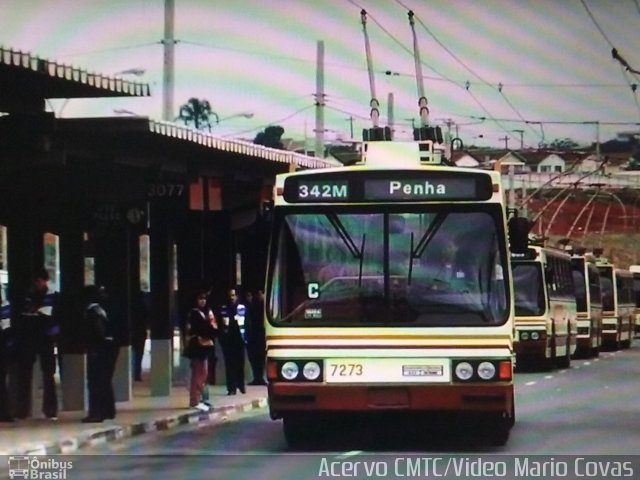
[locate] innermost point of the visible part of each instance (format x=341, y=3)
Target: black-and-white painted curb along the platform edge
x=112, y=433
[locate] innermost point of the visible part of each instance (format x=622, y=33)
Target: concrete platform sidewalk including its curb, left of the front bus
x=142, y=414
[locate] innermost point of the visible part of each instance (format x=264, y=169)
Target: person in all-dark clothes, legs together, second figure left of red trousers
x=102, y=353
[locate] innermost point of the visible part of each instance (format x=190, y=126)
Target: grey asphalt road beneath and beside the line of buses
x=590, y=410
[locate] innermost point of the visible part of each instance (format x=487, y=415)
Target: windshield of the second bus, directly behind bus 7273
x=528, y=289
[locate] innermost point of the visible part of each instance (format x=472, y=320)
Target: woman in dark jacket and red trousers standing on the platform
x=200, y=332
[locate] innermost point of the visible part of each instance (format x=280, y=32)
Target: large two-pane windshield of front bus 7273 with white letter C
x=431, y=266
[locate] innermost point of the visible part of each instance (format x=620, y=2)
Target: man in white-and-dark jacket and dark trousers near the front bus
x=233, y=315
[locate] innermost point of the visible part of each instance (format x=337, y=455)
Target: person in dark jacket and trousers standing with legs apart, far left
x=36, y=334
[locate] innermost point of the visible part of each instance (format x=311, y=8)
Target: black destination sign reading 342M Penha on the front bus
x=387, y=186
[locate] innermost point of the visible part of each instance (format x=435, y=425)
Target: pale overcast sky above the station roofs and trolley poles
x=541, y=66
